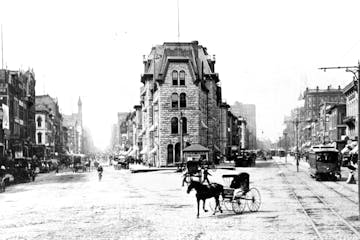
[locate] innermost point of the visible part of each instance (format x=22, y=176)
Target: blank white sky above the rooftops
x=267, y=52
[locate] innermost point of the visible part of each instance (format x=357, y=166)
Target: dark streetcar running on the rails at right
x=324, y=162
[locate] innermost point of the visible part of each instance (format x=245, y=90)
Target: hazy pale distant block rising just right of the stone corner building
x=248, y=112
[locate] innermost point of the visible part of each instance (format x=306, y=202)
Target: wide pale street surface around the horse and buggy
x=154, y=205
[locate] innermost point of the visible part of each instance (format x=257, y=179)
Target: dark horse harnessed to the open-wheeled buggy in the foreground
x=204, y=192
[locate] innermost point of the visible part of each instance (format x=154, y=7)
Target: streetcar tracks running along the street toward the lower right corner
x=325, y=221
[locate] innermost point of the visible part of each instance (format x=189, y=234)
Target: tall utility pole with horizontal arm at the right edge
x=356, y=71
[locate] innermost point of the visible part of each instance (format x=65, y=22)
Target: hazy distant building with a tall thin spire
x=74, y=126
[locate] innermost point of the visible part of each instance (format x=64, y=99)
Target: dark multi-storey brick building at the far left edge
x=17, y=98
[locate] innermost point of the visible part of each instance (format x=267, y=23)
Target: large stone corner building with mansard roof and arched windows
x=180, y=103
